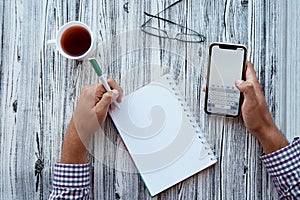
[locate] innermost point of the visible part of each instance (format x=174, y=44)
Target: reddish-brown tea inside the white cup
x=76, y=40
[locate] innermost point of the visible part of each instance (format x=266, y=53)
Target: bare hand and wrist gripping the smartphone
x=256, y=115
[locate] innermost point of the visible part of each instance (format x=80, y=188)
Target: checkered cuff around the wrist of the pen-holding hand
x=71, y=175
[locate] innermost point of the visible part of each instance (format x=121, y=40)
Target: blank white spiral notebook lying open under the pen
x=160, y=134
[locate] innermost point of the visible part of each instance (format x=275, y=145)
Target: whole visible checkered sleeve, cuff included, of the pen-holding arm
x=71, y=181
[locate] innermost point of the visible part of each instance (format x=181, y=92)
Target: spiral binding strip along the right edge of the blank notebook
x=187, y=109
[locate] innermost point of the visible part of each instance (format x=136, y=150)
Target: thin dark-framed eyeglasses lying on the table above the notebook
x=188, y=36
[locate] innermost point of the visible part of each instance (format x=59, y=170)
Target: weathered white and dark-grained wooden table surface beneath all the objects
x=39, y=89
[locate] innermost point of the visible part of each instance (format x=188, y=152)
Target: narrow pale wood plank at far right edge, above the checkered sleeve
x=288, y=82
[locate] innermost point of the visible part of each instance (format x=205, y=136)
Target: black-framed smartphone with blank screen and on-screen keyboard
x=226, y=65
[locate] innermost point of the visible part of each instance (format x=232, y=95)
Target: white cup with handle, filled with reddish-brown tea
x=74, y=40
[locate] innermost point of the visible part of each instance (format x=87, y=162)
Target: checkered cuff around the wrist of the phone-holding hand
x=284, y=160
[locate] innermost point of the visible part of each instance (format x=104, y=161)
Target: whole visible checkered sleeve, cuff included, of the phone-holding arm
x=284, y=168
